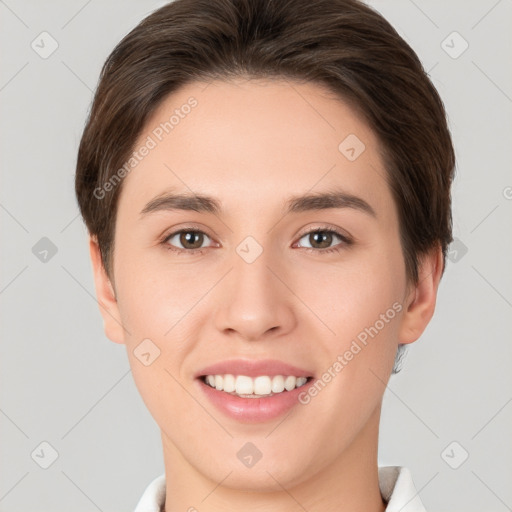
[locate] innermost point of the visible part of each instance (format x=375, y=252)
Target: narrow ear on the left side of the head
x=105, y=295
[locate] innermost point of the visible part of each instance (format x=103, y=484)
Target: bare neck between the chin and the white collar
x=349, y=484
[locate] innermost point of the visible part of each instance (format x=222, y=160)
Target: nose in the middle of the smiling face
x=253, y=302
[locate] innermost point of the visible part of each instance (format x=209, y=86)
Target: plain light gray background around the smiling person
x=63, y=382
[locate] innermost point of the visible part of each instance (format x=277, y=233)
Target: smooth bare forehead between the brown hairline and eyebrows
x=248, y=140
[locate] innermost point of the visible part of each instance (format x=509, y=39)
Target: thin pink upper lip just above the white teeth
x=253, y=368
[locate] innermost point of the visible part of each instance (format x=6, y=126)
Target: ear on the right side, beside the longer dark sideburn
x=421, y=299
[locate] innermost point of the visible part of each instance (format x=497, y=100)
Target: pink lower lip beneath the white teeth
x=253, y=410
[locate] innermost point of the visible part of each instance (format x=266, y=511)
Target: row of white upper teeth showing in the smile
x=263, y=385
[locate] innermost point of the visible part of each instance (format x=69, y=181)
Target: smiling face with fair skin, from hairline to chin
x=318, y=283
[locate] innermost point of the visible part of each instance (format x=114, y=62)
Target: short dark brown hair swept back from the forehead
x=341, y=44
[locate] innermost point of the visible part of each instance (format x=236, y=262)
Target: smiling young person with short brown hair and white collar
x=266, y=185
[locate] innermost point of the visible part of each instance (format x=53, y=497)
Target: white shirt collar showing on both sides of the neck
x=395, y=482
